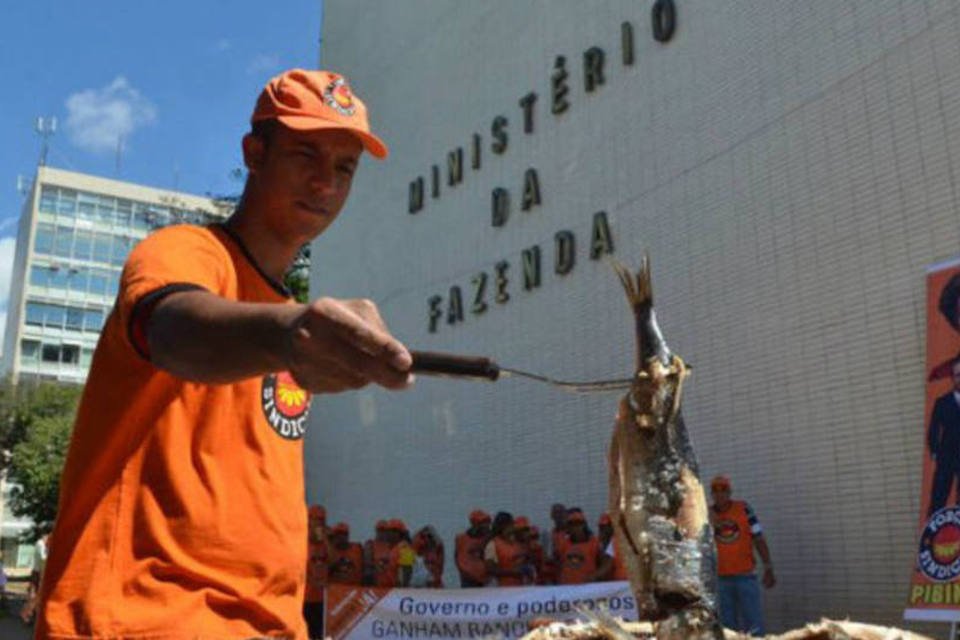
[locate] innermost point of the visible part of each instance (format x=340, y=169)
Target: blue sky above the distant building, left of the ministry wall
x=176, y=80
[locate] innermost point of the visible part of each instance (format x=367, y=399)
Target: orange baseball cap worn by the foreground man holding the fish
x=307, y=100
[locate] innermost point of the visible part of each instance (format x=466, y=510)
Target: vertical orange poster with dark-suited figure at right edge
x=935, y=582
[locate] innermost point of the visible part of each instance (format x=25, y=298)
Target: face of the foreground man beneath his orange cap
x=303, y=178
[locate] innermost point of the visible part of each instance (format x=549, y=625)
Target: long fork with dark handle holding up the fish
x=479, y=368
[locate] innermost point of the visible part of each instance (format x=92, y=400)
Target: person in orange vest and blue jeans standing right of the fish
x=737, y=533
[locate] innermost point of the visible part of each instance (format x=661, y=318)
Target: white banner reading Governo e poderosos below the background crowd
x=362, y=613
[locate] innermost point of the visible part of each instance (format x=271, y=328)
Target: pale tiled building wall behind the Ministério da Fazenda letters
x=790, y=167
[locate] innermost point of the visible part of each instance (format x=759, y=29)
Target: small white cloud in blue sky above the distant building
x=98, y=118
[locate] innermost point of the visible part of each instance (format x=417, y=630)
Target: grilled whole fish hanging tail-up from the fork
x=657, y=503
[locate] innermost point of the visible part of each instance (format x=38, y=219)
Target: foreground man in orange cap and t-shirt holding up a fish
x=182, y=497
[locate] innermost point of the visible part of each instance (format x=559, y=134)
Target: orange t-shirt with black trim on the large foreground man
x=181, y=508
